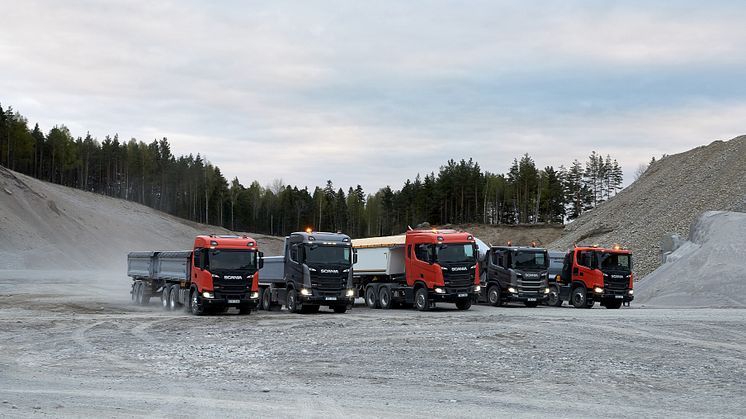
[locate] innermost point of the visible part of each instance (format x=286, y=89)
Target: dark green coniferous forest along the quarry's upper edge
x=192, y=188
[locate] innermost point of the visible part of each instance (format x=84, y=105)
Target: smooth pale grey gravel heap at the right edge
x=708, y=270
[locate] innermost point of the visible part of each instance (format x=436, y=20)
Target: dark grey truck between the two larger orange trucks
x=315, y=270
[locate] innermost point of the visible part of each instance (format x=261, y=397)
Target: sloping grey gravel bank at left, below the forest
x=45, y=226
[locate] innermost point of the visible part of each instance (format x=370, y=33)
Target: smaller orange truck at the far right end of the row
x=591, y=274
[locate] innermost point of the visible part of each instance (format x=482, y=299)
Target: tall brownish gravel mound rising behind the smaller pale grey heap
x=664, y=200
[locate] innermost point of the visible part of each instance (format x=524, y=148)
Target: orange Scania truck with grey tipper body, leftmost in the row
x=221, y=271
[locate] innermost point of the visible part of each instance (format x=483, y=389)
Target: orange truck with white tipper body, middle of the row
x=418, y=268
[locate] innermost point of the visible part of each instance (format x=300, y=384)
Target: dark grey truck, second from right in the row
x=515, y=273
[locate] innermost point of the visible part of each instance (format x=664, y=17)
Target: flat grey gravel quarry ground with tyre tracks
x=86, y=355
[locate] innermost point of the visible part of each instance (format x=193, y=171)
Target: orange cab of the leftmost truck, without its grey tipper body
x=224, y=273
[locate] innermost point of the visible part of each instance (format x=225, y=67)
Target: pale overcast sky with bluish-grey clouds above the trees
x=374, y=92
